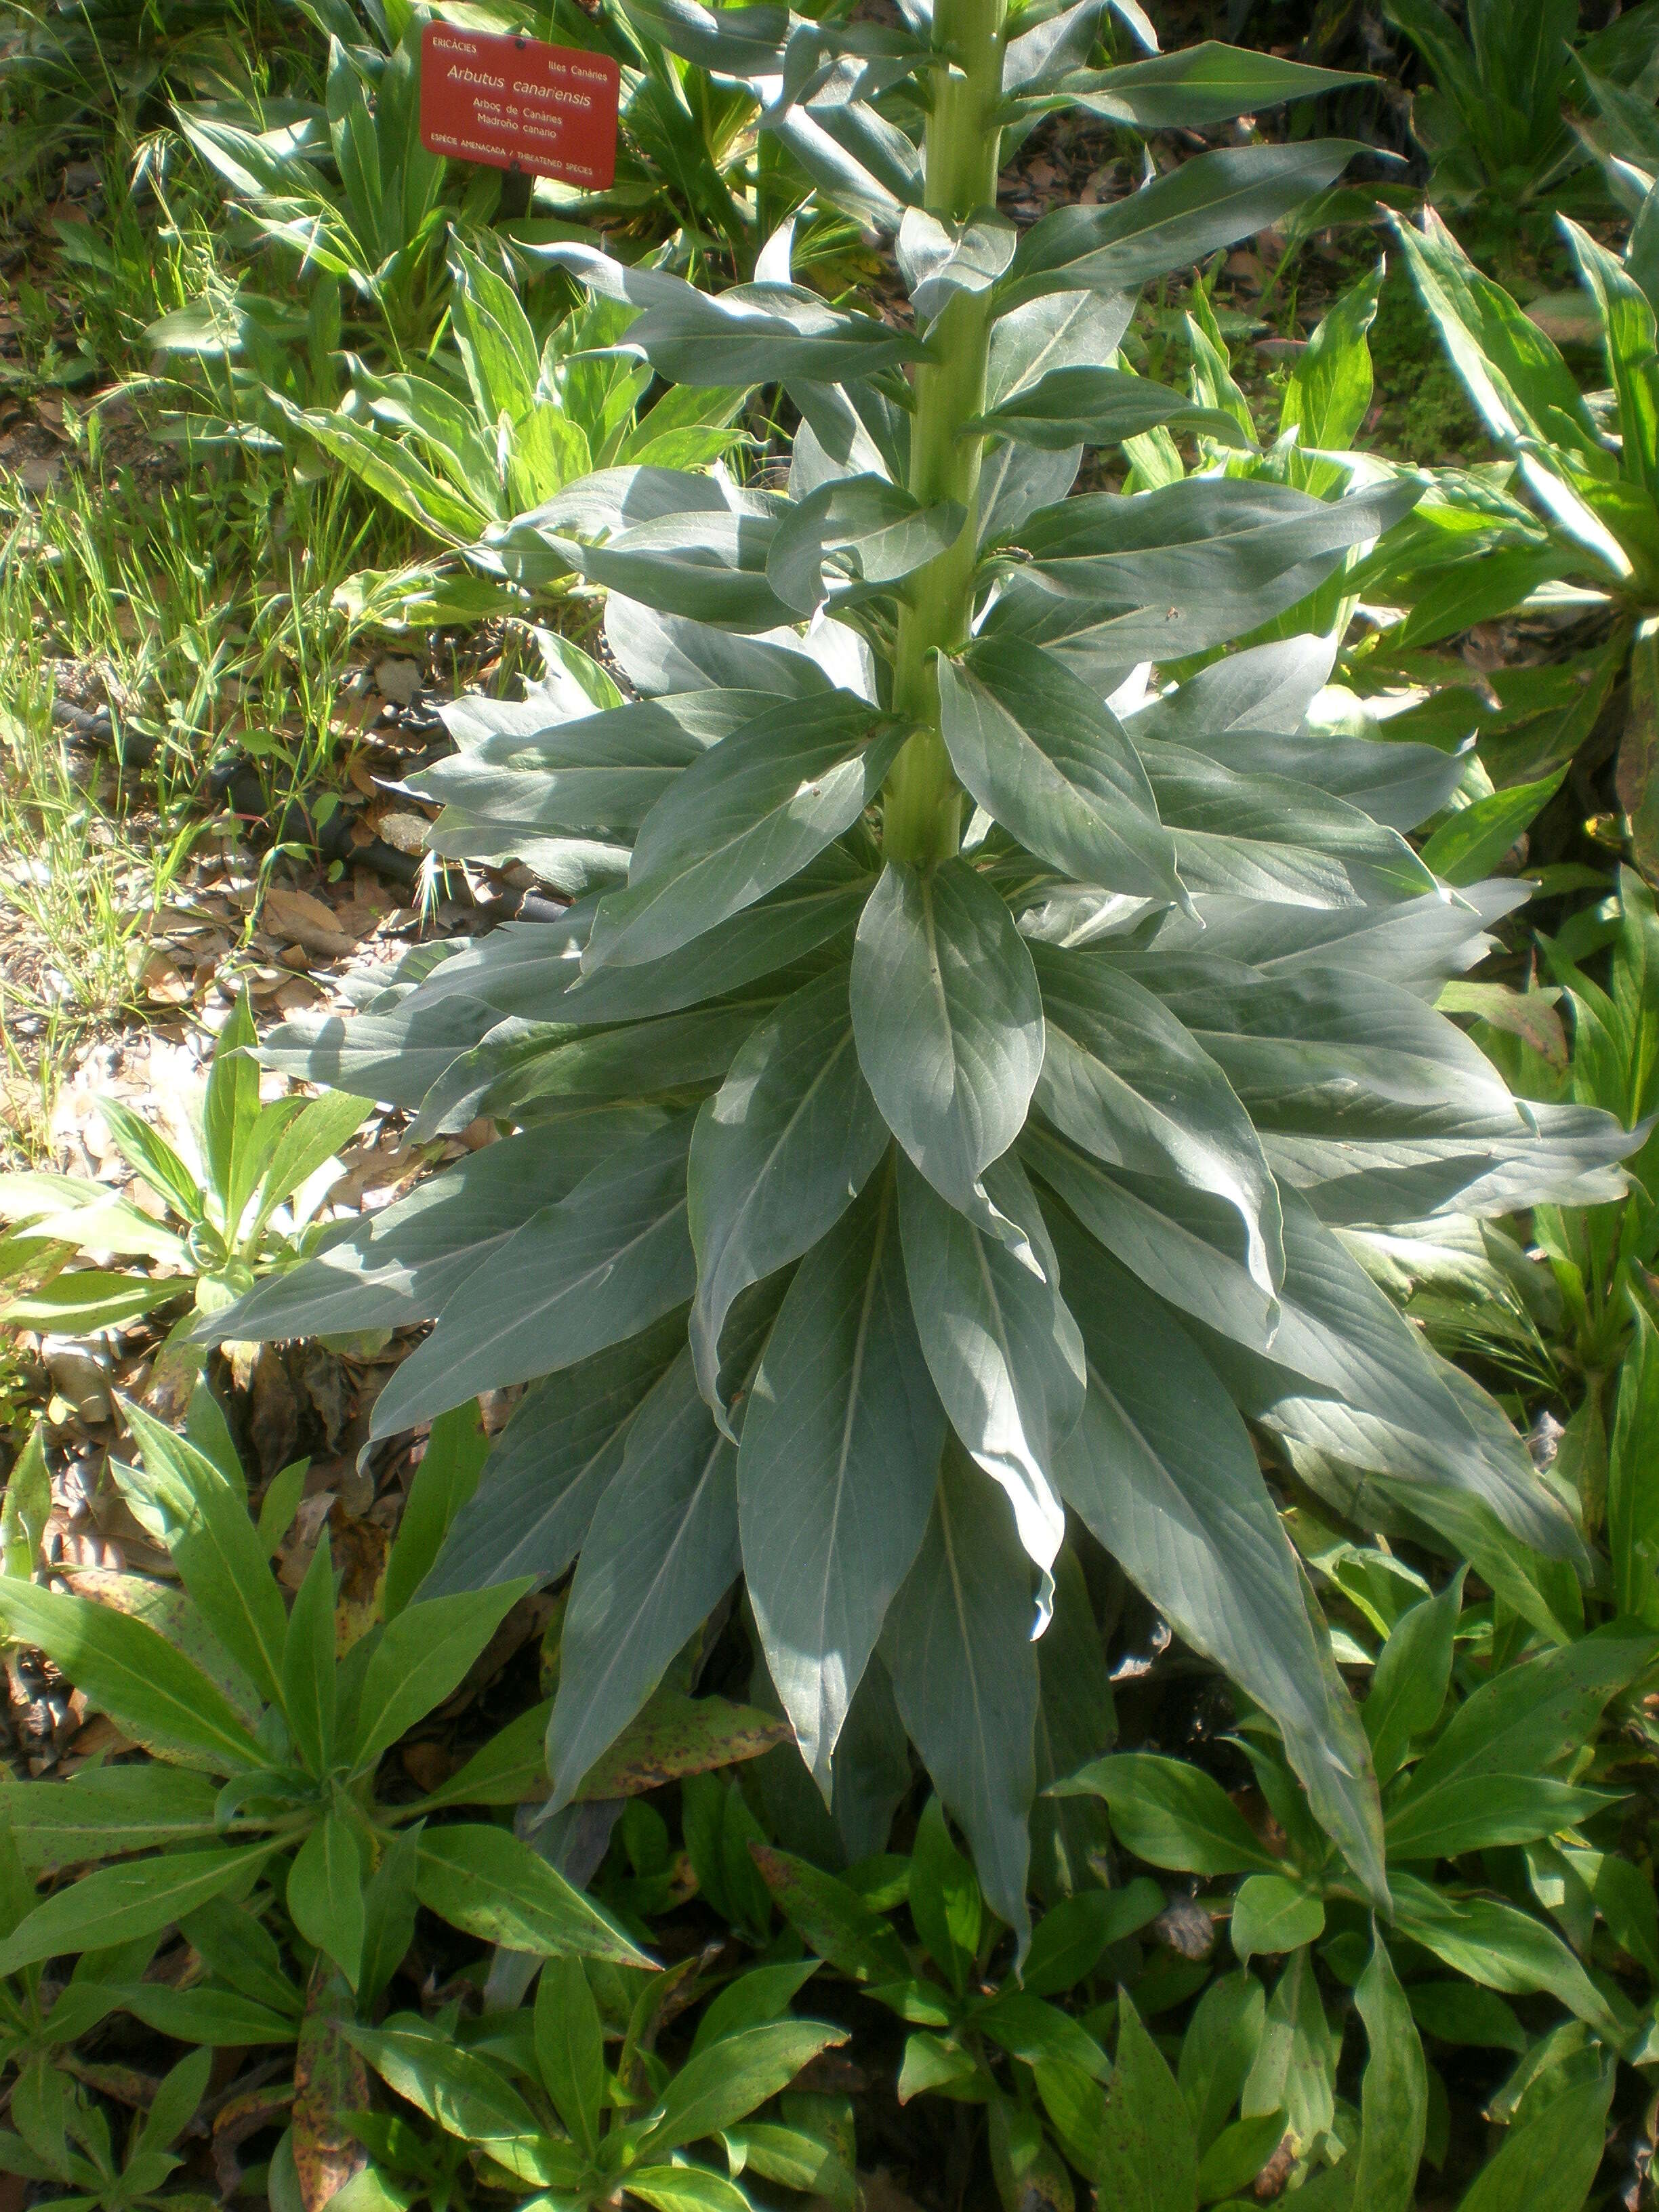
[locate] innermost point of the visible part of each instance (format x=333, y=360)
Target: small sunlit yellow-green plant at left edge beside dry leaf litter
x=240, y=1202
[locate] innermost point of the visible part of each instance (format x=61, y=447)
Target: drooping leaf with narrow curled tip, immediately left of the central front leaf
x=778, y=1156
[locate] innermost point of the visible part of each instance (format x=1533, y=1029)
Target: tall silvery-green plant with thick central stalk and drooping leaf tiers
x=935, y=1123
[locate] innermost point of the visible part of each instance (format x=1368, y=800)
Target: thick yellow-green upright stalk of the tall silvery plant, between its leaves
x=924, y=802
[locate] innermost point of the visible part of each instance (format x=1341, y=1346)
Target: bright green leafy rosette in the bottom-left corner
x=262, y=1777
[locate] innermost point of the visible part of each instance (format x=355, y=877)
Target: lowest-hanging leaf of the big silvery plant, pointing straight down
x=966, y=1676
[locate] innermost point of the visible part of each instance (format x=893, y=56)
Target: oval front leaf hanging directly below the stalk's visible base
x=948, y=1021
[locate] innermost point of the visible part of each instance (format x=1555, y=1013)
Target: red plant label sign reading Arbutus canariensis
x=519, y=103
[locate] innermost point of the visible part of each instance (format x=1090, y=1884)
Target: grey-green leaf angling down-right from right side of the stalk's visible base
x=1045, y=758
